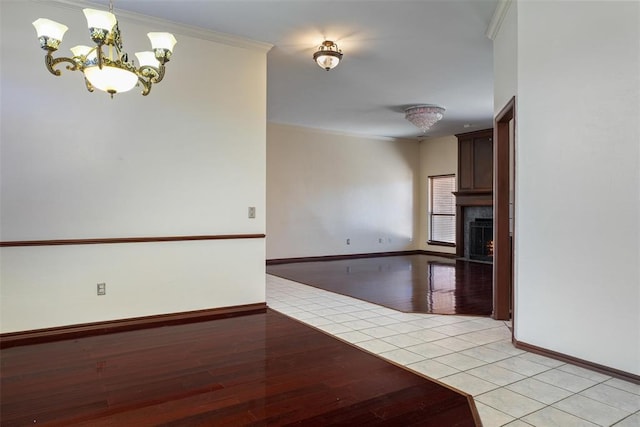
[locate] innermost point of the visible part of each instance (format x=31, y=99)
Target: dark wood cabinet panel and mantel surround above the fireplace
x=475, y=177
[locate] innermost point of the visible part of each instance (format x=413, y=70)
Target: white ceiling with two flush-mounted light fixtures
x=397, y=53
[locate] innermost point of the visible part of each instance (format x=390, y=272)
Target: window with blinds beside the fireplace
x=442, y=210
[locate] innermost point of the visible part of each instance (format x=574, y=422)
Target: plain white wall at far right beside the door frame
x=578, y=180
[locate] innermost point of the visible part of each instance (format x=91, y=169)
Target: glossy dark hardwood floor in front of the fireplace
x=408, y=283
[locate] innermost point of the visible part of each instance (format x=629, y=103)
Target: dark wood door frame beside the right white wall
x=502, y=279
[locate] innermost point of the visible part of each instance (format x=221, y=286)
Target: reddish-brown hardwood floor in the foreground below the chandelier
x=258, y=370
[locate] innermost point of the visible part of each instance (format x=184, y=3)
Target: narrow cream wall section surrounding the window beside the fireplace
x=438, y=156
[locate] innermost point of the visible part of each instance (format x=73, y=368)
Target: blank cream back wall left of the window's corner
x=324, y=188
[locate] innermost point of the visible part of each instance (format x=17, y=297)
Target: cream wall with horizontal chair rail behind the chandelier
x=186, y=160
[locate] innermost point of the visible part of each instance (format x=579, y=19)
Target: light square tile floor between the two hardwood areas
x=510, y=387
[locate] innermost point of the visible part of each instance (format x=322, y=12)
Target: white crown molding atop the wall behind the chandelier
x=170, y=26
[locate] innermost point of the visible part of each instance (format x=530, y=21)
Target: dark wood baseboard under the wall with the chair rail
x=36, y=336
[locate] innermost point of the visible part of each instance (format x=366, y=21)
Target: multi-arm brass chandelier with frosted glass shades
x=105, y=66
